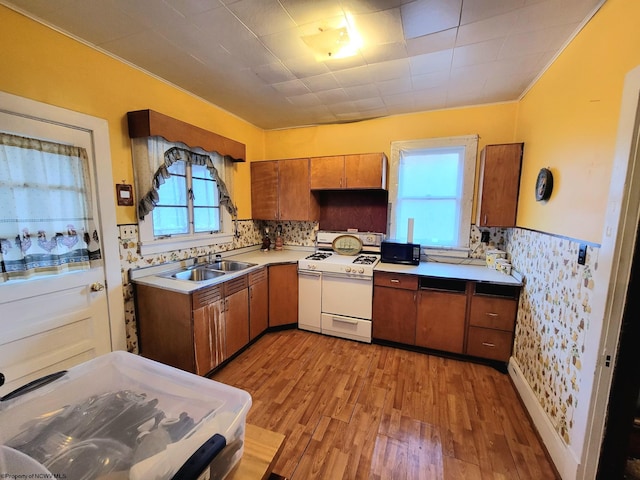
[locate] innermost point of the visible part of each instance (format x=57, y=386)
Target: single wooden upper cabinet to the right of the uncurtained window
x=499, y=185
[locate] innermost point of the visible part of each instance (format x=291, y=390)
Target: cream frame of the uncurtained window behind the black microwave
x=470, y=145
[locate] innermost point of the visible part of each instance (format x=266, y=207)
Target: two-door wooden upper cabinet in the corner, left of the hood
x=280, y=191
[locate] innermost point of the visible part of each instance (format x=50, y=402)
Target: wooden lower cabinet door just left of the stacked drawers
x=440, y=323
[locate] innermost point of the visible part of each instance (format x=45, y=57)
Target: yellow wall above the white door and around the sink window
x=42, y=64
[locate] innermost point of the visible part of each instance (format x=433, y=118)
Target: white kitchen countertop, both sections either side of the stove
x=149, y=275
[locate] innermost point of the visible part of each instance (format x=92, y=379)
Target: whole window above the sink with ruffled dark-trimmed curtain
x=189, y=204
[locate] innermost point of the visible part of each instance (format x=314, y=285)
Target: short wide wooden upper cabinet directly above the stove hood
x=359, y=171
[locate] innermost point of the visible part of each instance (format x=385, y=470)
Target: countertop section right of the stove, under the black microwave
x=477, y=273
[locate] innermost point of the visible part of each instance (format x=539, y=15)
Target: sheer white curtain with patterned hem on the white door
x=46, y=218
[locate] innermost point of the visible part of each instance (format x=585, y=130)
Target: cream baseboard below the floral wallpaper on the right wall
x=562, y=456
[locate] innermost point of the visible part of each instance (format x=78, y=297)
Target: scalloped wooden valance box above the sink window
x=147, y=123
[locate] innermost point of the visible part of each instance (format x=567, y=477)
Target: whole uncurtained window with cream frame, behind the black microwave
x=431, y=182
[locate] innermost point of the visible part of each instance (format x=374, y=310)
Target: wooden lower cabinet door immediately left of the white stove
x=283, y=294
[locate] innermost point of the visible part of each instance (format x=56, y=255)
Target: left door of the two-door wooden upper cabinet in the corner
x=264, y=190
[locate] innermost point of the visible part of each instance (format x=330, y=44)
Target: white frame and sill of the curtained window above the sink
x=150, y=244
